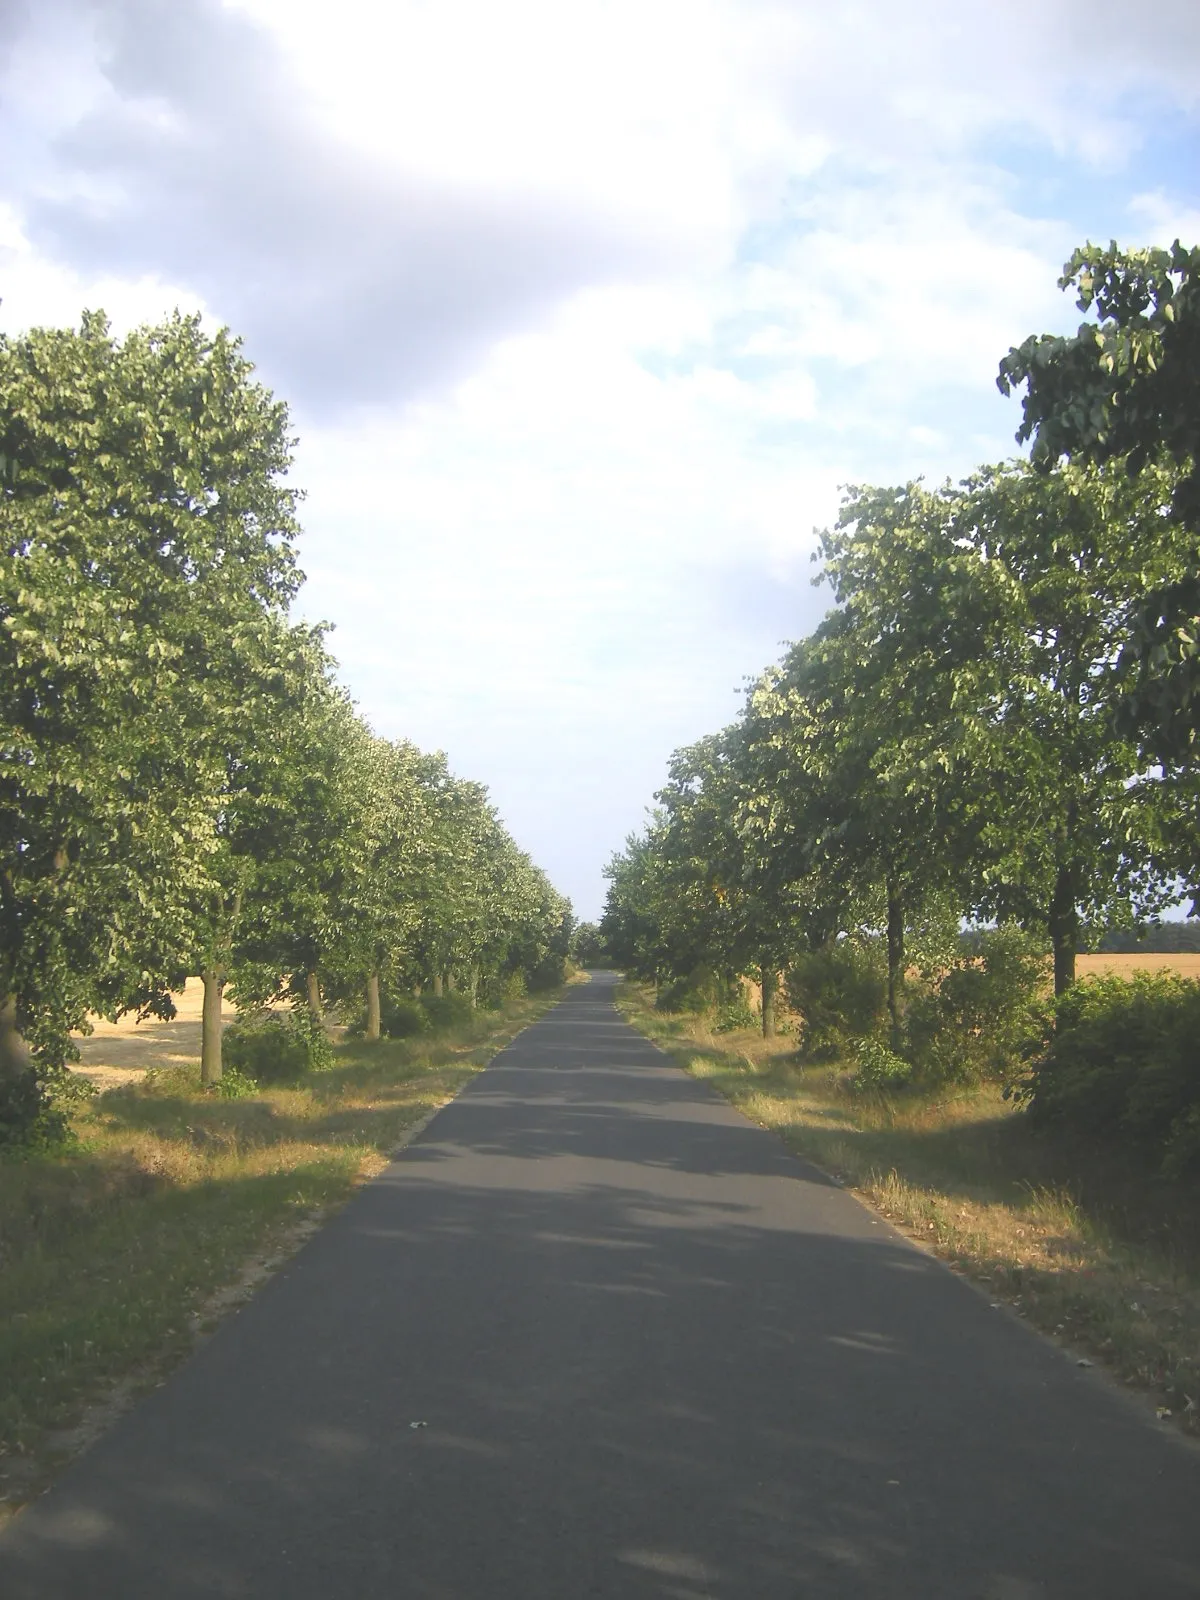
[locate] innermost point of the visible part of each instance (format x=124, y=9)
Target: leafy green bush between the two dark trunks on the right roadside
x=977, y=1018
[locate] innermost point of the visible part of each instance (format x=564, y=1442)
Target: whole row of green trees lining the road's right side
x=998, y=719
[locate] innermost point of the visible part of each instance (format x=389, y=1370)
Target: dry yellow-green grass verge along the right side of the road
x=1090, y=1249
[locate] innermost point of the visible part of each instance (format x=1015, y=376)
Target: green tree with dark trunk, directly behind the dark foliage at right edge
x=1078, y=828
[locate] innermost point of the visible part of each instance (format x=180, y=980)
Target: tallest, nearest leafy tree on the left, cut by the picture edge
x=145, y=530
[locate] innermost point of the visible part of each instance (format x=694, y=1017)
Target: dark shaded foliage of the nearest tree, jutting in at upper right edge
x=1127, y=388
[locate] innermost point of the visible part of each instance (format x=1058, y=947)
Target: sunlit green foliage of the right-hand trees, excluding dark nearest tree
x=948, y=743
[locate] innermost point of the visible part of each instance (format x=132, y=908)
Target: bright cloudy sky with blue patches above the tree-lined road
x=585, y=313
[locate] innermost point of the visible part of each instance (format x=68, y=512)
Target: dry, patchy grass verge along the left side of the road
x=119, y=1252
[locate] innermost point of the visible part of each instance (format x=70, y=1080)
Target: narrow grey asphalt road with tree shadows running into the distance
x=647, y=1354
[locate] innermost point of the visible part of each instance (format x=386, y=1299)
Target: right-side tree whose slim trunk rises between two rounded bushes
x=879, y=706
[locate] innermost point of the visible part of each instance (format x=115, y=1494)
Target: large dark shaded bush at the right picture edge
x=1124, y=1062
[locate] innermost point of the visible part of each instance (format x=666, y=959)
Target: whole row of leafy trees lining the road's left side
x=183, y=785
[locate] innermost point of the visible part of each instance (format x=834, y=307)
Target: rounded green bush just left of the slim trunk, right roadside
x=841, y=993
